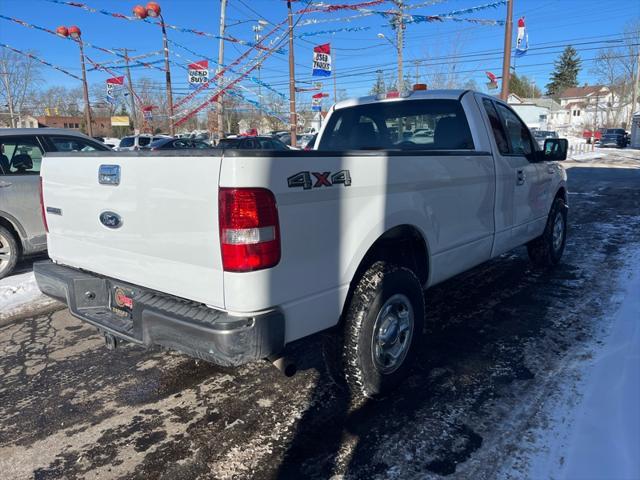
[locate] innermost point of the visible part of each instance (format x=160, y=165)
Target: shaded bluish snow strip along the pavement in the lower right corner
x=599, y=435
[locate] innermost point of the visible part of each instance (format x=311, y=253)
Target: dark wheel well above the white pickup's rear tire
x=403, y=245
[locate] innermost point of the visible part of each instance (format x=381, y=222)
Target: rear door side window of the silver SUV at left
x=20, y=155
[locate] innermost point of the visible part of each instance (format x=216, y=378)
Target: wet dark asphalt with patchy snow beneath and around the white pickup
x=496, y=351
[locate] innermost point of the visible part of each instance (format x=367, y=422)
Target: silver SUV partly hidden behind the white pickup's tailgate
x=21, y=149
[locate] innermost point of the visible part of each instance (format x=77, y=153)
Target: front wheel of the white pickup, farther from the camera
x=546, y=250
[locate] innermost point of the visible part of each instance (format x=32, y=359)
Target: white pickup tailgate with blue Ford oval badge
x=167, y=206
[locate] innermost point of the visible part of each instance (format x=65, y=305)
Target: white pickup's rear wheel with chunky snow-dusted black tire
x=370, y=370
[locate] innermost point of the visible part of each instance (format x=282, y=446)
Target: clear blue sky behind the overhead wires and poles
x=552, y=24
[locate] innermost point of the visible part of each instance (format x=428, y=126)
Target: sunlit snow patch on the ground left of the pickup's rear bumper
x=20, y=296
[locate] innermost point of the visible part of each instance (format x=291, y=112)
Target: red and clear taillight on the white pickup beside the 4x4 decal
x=249, y=229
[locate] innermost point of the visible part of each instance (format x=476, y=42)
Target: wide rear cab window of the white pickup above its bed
x=400, y=125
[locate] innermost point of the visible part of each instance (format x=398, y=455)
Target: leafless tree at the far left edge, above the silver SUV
x=20, y=76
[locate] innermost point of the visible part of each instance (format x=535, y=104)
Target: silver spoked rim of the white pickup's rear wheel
x=392, y=333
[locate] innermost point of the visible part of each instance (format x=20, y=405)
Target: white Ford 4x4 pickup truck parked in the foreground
x=231, y=255
